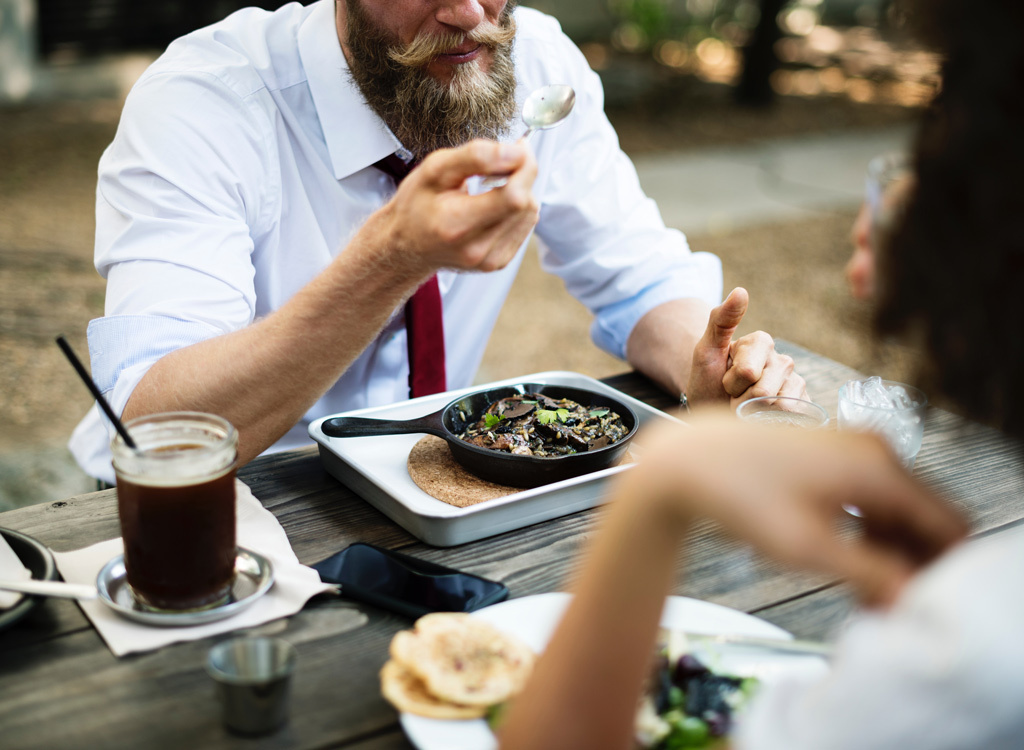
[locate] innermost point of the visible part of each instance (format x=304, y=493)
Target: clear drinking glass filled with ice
x=895, y=411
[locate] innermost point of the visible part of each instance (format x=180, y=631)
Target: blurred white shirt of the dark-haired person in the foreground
x=943, y=671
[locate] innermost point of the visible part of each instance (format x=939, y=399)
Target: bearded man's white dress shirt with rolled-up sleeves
x=243, y=164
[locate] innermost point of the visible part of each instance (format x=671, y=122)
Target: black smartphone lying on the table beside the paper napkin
x=405, y=585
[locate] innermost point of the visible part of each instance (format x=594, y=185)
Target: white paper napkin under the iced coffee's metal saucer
x=259, y=530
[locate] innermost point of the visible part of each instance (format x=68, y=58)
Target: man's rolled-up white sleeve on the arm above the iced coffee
x=179, y=202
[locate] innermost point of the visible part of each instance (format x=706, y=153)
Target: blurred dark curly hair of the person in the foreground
x=954, y=268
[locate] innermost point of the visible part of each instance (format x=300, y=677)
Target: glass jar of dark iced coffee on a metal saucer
x=177, y=505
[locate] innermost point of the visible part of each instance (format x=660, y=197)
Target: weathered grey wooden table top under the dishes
x=62, y=688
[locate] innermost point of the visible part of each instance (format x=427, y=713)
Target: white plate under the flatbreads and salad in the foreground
x=534, y=619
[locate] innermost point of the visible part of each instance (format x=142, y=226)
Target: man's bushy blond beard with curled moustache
x=423, y=113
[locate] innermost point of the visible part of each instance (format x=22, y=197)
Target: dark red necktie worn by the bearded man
x=424, y=319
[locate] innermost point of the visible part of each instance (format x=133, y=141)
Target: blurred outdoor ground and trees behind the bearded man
x=751, y=122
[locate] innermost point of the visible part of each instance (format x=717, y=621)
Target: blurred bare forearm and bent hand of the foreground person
x=782, y=490
